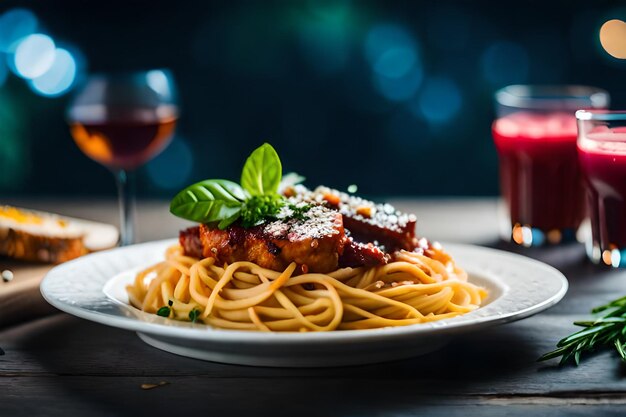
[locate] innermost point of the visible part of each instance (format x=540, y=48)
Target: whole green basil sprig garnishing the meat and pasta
x=224, y=202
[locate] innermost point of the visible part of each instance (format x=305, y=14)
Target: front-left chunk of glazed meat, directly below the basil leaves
x=316, y=240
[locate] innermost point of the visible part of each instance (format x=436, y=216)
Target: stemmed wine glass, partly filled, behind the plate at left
x=122, y=121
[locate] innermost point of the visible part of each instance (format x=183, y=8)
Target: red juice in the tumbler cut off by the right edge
x=602, y=156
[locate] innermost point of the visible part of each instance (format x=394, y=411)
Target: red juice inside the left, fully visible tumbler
x=539, y=173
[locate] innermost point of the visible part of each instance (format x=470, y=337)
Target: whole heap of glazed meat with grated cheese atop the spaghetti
x=337, y=230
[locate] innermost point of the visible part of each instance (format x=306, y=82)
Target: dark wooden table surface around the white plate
x=59, y=365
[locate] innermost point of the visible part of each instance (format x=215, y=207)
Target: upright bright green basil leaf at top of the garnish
x=262, y=171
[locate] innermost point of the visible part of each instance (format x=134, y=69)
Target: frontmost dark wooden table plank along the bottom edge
x=99, y=396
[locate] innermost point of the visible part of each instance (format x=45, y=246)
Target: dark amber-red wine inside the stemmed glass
x=123, y=138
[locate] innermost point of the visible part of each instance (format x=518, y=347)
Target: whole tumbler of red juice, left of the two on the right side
x=540, y=181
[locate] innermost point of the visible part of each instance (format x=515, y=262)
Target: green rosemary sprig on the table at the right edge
x=607, y=331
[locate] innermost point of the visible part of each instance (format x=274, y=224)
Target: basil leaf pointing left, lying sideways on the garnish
x=209, y=201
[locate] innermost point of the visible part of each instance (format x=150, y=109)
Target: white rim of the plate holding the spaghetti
x=165, y=328
